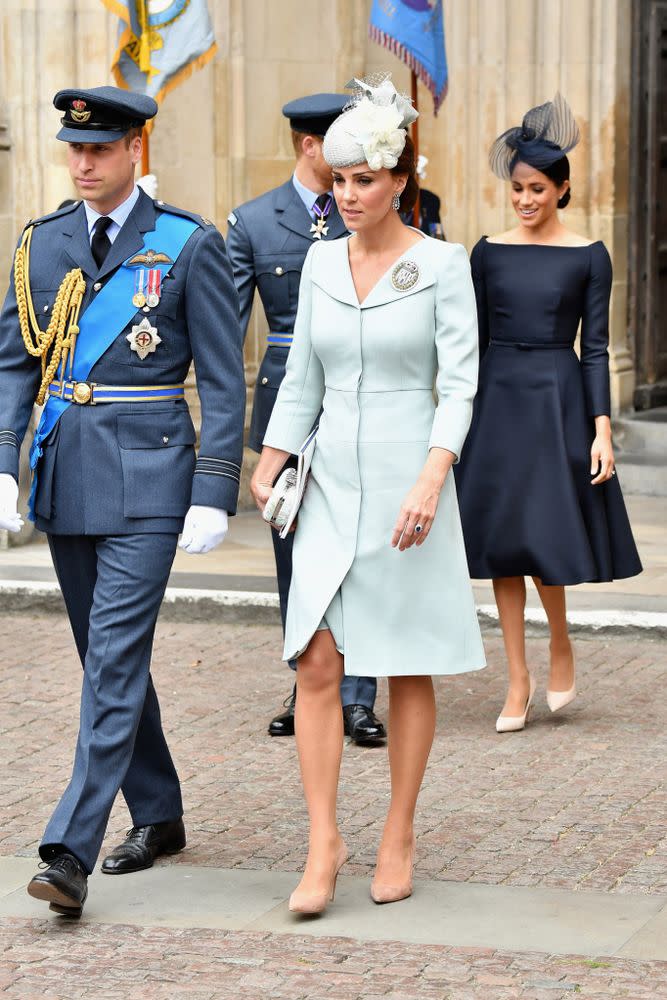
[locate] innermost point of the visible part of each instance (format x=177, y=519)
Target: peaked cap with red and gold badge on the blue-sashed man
x=101, y=114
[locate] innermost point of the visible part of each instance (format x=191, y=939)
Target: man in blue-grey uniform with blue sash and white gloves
x=115, y=295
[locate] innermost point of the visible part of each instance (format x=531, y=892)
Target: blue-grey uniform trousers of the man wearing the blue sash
x=113, y=588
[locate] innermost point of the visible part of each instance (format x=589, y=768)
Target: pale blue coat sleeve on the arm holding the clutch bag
x=301, y=392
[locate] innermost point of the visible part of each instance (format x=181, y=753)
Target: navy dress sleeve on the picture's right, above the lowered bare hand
x=595, y=333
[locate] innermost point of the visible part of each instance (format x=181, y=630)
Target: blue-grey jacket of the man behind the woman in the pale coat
x=267, y=241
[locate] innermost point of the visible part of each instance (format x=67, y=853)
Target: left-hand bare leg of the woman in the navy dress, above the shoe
x=510, y=594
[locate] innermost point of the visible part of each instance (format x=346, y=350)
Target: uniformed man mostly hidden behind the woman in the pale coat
x=268, y=239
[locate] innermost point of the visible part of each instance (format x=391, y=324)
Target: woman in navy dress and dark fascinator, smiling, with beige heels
x=538, y=491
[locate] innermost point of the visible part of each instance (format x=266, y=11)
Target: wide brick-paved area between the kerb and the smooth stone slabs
x=577, y=800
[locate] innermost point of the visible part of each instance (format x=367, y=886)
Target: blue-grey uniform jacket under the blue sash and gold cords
x=119, y=468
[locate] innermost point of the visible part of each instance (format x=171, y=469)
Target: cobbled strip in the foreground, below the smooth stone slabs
x=117, y=963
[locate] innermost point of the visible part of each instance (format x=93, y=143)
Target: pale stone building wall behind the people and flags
x=220, y=138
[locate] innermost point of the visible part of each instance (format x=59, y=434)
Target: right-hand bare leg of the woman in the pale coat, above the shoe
x=411, y=731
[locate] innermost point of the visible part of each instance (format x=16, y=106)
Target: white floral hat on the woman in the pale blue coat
x=372, y=128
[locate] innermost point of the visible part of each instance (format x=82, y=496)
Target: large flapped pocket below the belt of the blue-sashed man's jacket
x=158, y=460
